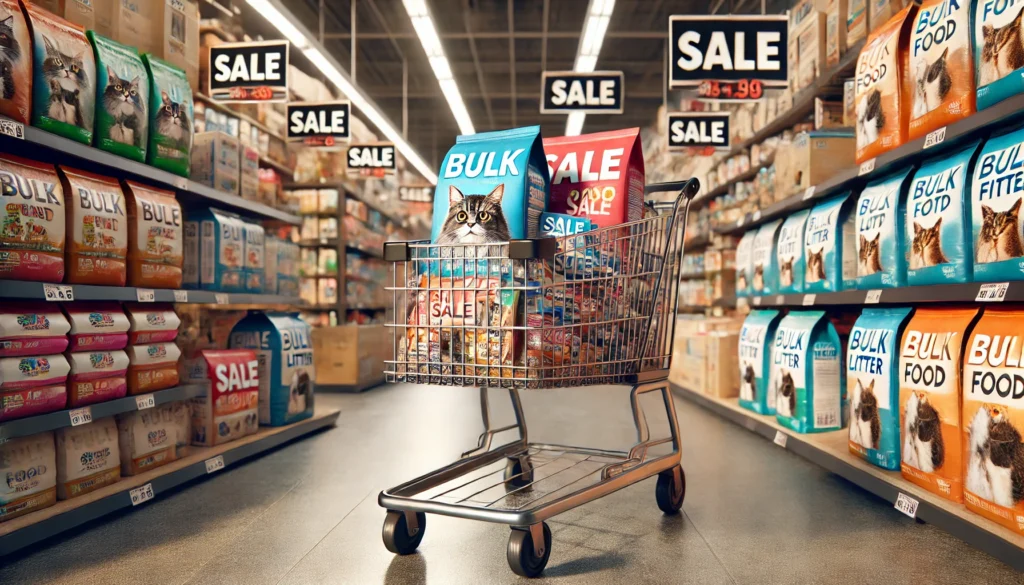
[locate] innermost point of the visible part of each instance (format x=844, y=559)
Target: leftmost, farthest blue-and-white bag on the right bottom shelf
x=756, y=341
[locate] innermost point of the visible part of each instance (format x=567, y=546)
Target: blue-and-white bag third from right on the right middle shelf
x=881, y=261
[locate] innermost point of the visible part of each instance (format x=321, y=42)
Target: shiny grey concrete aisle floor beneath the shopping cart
x=308, y=513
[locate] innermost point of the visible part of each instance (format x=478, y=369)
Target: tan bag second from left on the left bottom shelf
x=89, y=458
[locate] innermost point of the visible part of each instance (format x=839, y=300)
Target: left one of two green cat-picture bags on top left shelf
x=122, y=99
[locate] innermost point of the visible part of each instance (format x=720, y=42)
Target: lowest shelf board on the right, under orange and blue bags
x=831, y=451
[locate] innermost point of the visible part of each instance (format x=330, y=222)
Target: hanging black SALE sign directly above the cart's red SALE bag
x=566, y=92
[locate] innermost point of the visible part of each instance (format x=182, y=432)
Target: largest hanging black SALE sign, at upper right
x=729, y=49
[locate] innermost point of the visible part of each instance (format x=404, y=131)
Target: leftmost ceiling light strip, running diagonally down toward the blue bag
x=303, y=39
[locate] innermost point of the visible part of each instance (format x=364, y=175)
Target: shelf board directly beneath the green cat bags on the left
x=42, y=146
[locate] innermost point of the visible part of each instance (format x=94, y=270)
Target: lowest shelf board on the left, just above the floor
x=67, y=515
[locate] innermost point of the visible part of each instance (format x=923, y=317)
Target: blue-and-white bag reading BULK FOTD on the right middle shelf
x=937, y=234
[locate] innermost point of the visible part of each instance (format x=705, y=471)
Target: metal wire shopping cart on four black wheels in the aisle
x=591, y=309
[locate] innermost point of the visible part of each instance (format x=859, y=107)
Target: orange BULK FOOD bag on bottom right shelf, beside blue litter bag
x=932, y=350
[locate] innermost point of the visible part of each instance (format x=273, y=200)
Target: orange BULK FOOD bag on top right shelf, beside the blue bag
x=942, y=73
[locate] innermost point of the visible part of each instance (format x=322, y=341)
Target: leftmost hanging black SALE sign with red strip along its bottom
x=249, y=72
